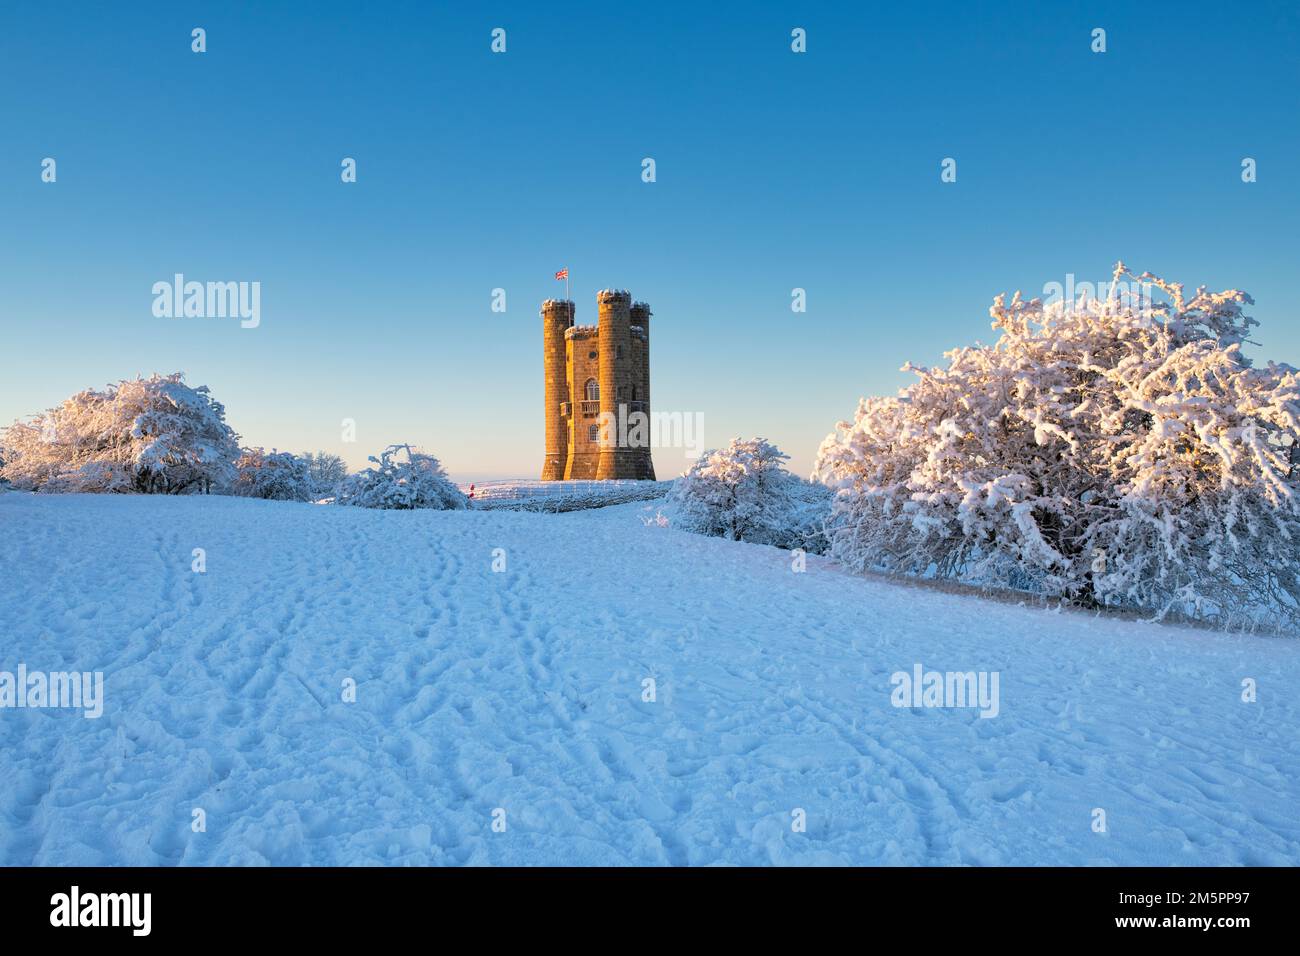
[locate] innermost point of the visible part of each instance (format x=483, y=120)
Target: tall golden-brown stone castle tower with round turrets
x=597, y=382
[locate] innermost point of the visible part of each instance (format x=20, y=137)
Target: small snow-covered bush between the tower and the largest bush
x=743, y=492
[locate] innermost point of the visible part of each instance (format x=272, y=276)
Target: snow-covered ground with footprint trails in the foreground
x=523, y=691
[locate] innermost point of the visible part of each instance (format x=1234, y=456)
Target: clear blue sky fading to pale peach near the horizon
x=482, y=171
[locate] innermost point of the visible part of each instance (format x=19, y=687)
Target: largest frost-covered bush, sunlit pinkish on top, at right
x=1116, y=452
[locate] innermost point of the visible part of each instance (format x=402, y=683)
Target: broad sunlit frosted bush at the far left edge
x=142, y=435
